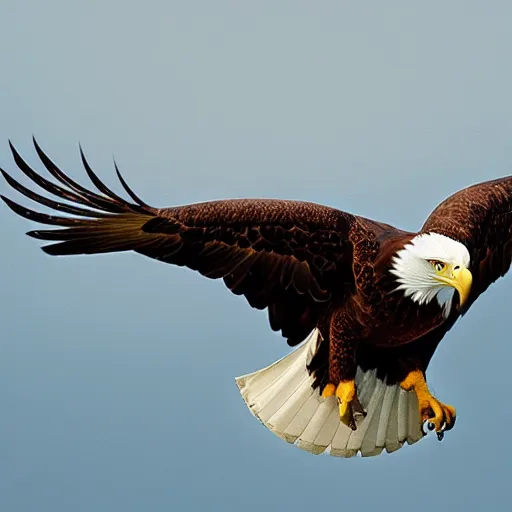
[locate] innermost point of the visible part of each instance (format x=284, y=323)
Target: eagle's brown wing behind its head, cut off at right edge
x=480, y=217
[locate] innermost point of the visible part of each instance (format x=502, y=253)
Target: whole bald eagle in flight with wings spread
x=366, y=304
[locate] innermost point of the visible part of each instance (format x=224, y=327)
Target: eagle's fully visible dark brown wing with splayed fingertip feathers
x=291, y=257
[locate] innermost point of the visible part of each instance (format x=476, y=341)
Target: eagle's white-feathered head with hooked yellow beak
x=433, y=266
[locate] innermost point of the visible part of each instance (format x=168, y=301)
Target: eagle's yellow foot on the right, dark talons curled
x=440, y=417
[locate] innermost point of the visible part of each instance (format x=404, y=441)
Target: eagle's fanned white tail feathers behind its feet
x=282, y=398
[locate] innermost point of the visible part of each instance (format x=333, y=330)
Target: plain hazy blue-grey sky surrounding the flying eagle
x=117, y=372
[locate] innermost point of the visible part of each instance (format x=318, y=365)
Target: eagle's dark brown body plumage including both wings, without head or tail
x=310, y=266
